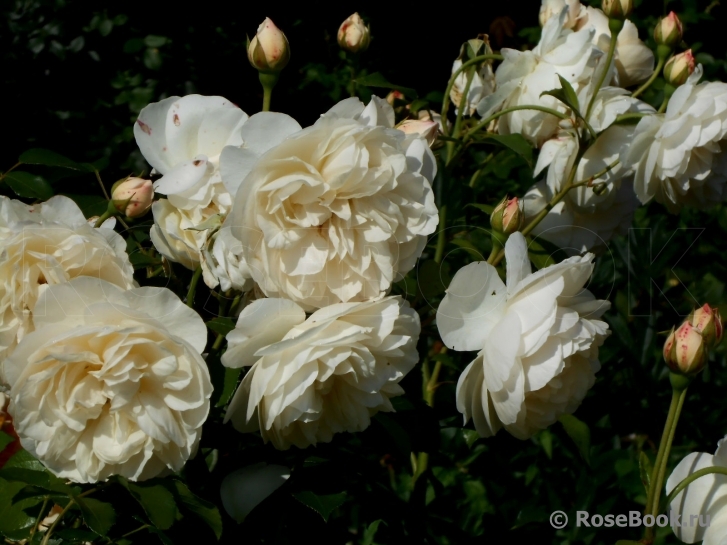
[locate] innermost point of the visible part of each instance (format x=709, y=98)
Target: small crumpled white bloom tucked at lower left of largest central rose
x=222, y=262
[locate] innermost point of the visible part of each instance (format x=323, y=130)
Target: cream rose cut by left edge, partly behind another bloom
x=46, y=244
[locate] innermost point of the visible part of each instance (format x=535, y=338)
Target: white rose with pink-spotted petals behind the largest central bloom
x=182, y=138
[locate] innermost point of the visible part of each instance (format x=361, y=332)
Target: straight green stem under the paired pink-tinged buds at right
x=679, y=392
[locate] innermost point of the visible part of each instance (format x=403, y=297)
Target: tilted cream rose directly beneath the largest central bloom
x=312, y=378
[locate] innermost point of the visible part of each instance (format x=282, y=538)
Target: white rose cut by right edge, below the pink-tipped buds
x=679, y=157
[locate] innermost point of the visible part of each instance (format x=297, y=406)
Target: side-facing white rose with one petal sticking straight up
x=537, y=337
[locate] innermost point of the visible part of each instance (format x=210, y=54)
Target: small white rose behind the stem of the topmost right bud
x=633, y=59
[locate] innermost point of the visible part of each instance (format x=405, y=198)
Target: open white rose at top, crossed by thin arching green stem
x=524, y=75
